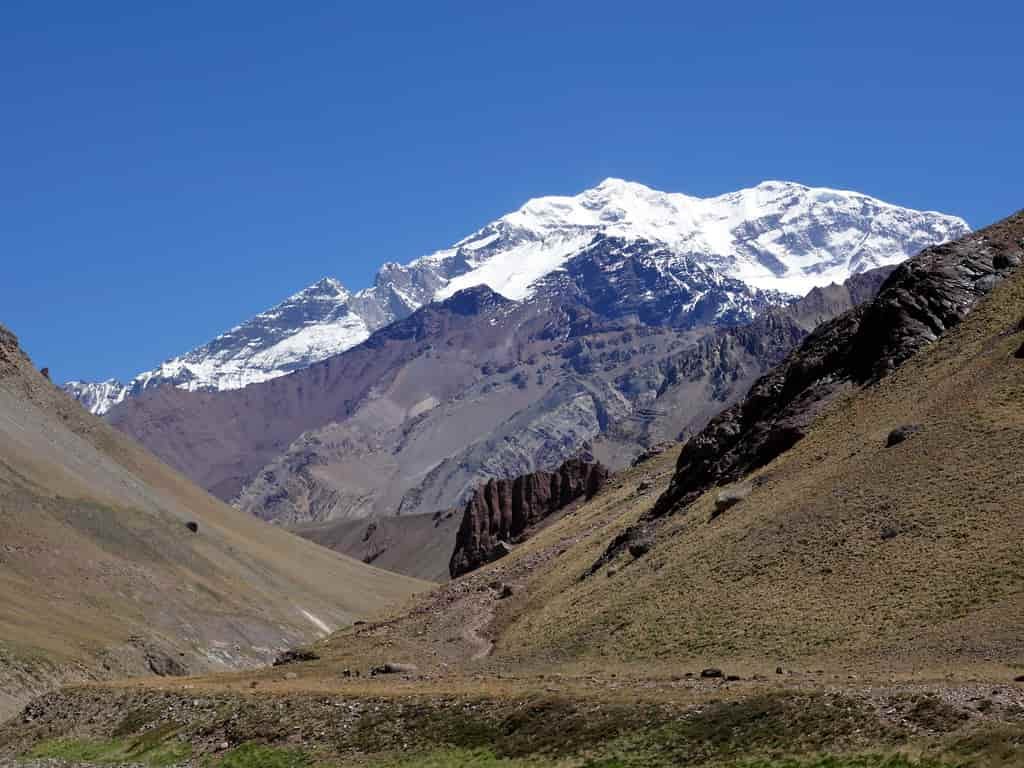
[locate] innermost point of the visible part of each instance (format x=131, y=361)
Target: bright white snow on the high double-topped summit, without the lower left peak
x=778, y=236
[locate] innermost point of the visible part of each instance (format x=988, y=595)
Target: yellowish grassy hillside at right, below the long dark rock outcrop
x=847, y=553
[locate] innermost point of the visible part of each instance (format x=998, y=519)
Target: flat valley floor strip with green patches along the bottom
x=295, y=716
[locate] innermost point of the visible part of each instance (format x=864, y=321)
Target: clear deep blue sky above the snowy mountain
x=168, y=173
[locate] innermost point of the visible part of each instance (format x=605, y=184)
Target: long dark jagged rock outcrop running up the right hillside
x=922, y=300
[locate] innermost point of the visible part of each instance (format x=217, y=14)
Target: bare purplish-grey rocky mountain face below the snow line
x=467, y=390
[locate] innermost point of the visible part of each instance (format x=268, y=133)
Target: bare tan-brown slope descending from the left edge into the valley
x=100, y=575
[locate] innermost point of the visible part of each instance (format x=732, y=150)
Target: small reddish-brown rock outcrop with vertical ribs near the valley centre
x=501, y=511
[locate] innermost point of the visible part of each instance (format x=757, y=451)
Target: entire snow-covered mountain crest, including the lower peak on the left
x=780, y=239
